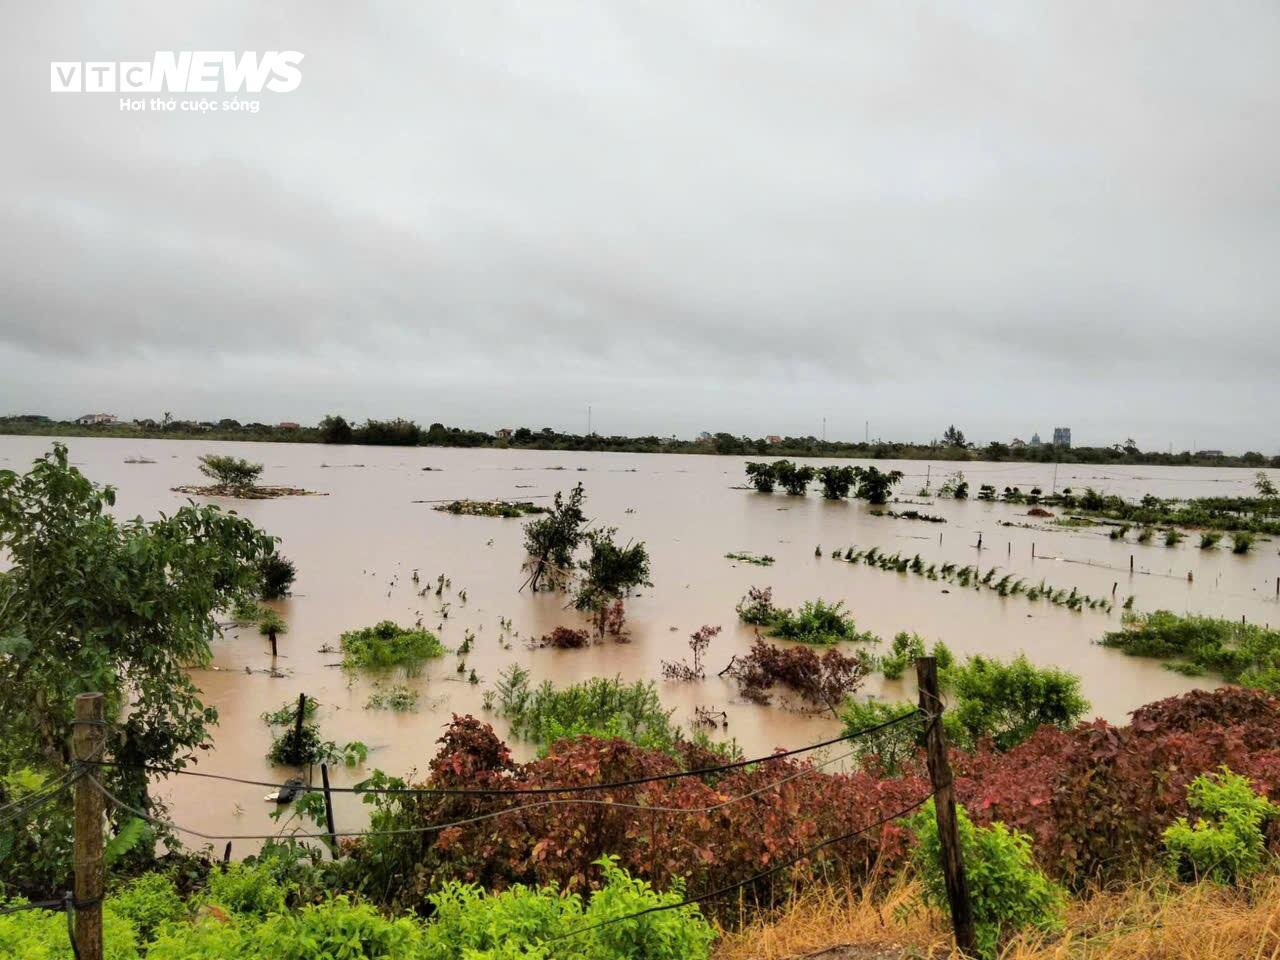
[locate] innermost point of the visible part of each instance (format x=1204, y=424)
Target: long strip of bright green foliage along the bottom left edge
x=258, y=920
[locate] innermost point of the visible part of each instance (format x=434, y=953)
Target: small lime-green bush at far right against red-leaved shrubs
x=1227, y=843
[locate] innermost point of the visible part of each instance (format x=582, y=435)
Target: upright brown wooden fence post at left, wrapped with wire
x=89, y=738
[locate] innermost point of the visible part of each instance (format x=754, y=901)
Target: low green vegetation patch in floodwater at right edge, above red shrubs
x=1242, y=653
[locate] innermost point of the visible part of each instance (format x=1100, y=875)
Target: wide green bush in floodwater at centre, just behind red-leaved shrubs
x=602, y=707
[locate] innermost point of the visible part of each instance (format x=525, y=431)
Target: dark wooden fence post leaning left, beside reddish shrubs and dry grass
x=945, y=806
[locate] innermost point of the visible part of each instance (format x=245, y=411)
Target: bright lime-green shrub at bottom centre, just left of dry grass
x=470, y=924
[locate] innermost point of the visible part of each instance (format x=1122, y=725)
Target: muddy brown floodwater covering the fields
x=358, y=548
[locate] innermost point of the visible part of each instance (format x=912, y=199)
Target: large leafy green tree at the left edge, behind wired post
x=93, y=604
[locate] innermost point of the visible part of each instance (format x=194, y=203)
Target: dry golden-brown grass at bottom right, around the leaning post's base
x=1148, y=921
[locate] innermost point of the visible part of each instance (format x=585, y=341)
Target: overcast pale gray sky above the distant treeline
x=691, y=216
